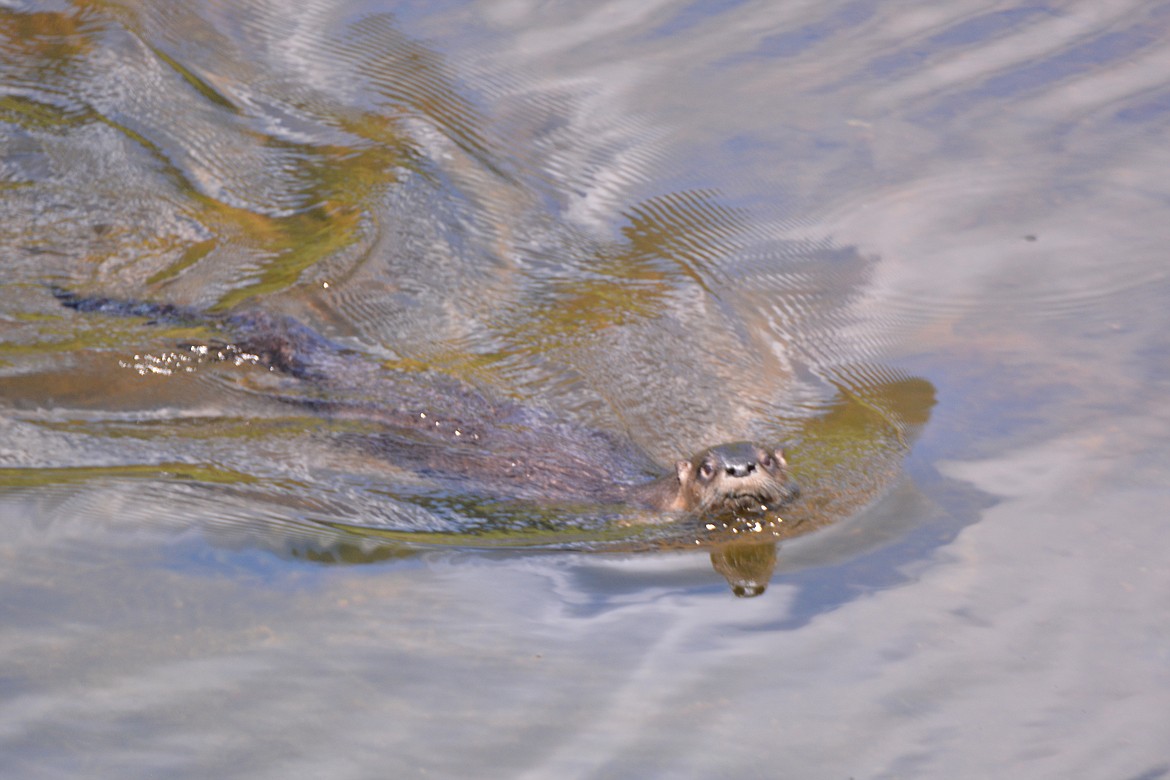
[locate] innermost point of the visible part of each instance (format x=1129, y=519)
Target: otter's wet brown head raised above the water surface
x=738, y=479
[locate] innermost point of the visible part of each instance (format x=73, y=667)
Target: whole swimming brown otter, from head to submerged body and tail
x=456, y=436
